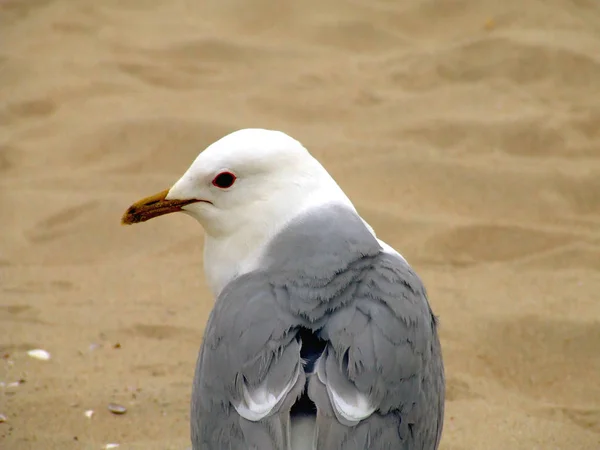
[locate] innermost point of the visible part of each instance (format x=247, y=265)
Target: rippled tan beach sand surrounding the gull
x=467, y=133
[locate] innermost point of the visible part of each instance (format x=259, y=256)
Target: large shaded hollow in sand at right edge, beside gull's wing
x=550, y=360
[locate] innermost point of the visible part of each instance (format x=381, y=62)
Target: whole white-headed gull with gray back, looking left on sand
x=321, y=336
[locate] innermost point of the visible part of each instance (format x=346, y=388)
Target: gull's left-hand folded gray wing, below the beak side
x=249, y=372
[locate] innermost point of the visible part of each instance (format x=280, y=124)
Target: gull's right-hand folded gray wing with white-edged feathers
x=380, y=382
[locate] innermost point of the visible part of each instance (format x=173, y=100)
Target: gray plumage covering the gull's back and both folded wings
x=326, y=274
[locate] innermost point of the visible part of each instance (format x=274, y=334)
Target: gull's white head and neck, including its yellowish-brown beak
x=243, y=189
